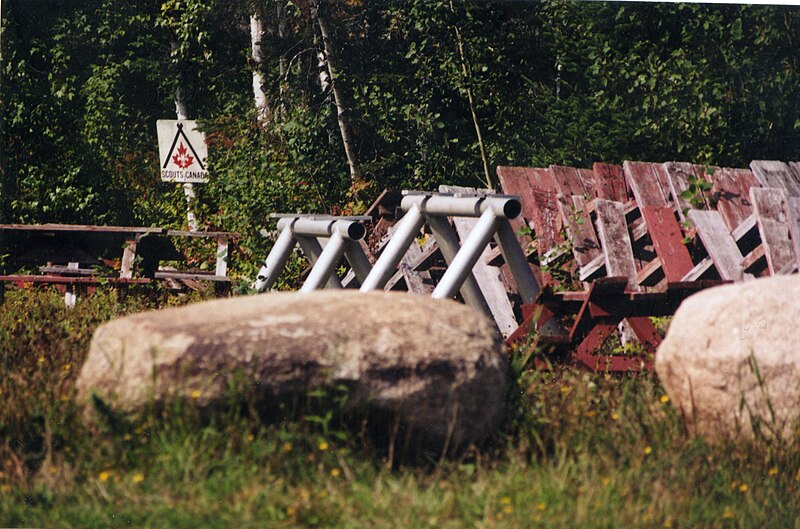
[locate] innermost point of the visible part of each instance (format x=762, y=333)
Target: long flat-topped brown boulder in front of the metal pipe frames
x=435, y=367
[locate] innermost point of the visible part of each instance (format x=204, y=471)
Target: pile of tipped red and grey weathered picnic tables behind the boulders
x=624, y=243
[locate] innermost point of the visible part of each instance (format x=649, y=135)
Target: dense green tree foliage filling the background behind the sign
x=551, y=82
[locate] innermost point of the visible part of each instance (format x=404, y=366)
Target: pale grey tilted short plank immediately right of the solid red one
x=719, y=243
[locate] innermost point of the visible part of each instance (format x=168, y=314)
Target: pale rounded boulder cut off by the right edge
x=731, y=359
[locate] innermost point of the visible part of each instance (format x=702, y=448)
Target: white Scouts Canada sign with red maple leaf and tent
x=182, y=151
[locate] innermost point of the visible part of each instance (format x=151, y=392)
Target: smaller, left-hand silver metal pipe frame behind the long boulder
x=344, y=236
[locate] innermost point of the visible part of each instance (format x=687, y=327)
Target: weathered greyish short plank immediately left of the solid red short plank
x=612, y=230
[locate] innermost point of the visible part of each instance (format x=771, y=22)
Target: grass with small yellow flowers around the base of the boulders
x=577, y=450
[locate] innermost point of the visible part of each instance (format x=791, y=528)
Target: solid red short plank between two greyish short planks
x=666, y=234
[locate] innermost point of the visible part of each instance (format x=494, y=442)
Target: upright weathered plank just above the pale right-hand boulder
x=770, y=208
